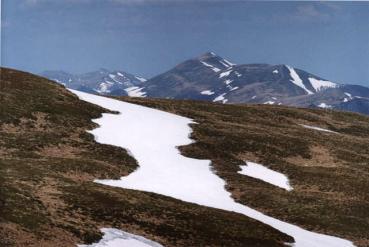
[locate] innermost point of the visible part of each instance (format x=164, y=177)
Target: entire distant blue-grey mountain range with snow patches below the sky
x=212, y=78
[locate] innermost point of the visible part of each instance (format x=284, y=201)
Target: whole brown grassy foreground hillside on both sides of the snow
x=48, y=162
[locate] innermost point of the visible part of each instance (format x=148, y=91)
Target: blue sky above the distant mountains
x=147, y=37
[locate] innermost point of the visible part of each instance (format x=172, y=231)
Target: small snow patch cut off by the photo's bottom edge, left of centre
x=116, y=238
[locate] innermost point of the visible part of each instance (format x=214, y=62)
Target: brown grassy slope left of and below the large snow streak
x=48, y=163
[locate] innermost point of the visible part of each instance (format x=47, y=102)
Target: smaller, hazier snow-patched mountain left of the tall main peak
x=102, y=81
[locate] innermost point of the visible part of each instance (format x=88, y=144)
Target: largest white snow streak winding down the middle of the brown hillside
x=152, y=136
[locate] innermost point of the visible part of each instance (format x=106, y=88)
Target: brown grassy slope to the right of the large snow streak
x=329, y=172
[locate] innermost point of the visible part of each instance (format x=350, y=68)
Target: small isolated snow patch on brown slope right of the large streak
x=261, y=172
